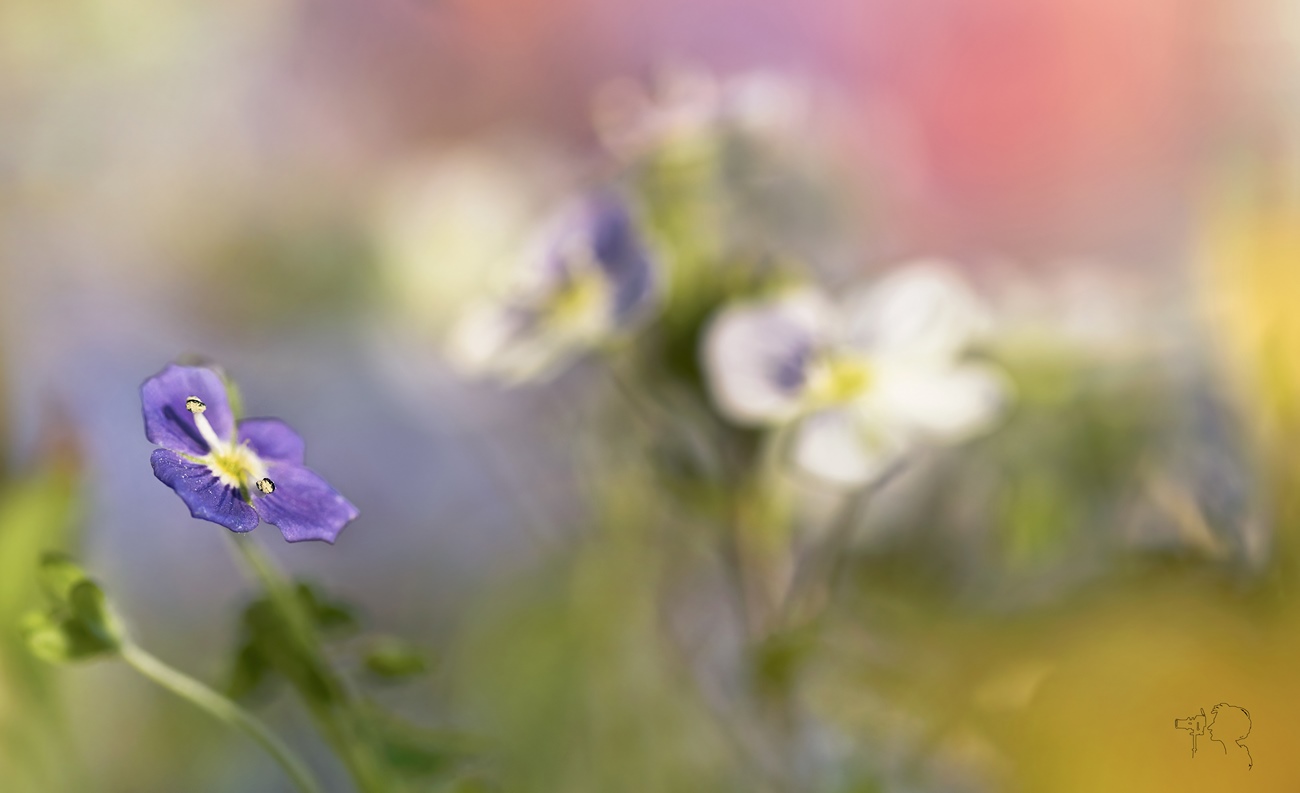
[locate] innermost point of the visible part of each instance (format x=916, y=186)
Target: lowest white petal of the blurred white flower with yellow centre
x=842, y=447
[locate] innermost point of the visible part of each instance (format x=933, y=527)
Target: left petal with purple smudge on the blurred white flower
x=756, y=354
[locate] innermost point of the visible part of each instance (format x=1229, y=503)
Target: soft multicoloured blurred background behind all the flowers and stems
x=313, y=193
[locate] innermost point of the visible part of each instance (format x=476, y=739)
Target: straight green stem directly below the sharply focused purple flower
x=340, y=722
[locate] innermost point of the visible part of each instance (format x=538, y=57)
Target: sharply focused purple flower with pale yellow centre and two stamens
x=235, y=474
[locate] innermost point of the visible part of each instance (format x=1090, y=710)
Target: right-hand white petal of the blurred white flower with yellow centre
x=952, y=404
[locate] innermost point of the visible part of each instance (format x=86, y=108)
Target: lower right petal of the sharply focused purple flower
x=304, y=505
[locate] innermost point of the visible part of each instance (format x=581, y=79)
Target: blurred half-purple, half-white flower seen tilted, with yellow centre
x=592, y=279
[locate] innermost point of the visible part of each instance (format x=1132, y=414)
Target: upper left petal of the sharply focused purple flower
x=168, y=423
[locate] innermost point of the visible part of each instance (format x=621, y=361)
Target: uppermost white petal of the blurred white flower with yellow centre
x=922, y=311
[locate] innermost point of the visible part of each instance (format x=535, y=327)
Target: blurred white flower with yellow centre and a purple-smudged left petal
x=864, y=382
